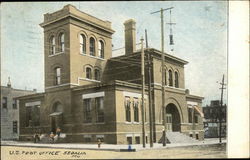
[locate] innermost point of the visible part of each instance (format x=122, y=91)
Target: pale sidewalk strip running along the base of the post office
x=110, y=147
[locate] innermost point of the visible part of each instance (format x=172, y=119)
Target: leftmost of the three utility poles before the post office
x=143, y=86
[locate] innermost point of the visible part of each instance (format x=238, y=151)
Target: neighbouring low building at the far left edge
x=10, y=111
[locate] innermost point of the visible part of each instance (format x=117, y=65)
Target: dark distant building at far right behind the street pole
x=212, y=115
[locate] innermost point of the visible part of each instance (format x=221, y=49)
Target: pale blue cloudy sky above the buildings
x=200, y=37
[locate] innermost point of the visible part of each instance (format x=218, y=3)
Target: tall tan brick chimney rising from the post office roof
x=130, y=39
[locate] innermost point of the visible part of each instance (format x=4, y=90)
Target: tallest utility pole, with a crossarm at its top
x=162, y=73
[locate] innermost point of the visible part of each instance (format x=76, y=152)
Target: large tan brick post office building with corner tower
x=89, y=94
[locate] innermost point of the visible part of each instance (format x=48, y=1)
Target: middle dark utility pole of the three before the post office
x=149, y=94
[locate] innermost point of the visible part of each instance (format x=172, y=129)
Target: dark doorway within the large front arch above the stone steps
x=172, y=118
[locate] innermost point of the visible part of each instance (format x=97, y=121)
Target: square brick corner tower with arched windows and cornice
x=76, y=47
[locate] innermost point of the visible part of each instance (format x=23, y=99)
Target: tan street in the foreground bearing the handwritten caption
x=202, y=151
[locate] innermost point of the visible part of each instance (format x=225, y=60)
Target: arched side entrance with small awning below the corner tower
x=56, y=116
